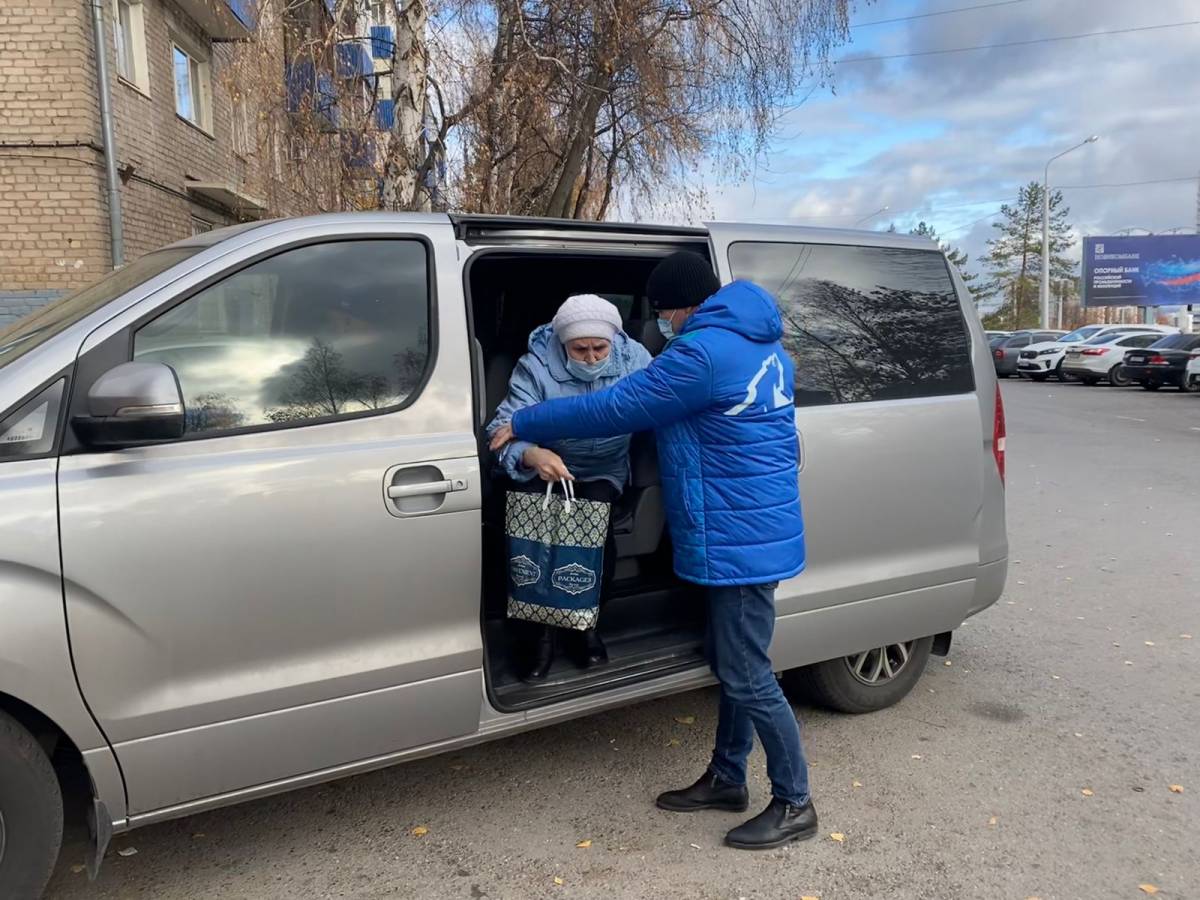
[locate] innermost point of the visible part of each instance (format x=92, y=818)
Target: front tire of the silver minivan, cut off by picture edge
x=31, y=813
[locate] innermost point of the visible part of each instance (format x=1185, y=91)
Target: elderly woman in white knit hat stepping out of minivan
x=583, y=350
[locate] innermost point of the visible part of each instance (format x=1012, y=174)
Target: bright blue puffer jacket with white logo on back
x=721, y=401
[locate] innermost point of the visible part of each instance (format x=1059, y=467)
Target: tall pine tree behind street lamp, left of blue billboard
x=1015, y=257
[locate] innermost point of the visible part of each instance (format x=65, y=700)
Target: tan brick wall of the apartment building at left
x=53, y=200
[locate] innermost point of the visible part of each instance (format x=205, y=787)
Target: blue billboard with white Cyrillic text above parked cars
x=1142, y=271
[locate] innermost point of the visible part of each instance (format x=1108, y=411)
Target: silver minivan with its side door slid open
x=249, y=539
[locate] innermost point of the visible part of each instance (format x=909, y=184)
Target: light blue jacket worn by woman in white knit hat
x=542, y=375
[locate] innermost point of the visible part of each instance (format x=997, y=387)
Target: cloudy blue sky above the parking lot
x=951, y=137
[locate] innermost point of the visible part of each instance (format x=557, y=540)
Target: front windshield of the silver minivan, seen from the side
x=41, y=326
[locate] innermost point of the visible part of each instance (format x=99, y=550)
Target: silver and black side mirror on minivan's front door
x=133, y=405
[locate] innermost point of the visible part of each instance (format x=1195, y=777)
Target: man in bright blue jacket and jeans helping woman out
x=719, y=399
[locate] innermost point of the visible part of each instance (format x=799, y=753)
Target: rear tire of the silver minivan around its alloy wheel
x=833, y=683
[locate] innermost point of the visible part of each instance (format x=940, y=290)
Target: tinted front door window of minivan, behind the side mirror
x=316, y=332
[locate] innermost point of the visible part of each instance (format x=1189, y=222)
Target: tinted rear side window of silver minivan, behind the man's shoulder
x=863, y=323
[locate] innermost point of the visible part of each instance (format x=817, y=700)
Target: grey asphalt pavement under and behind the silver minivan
x=1037, y=761
